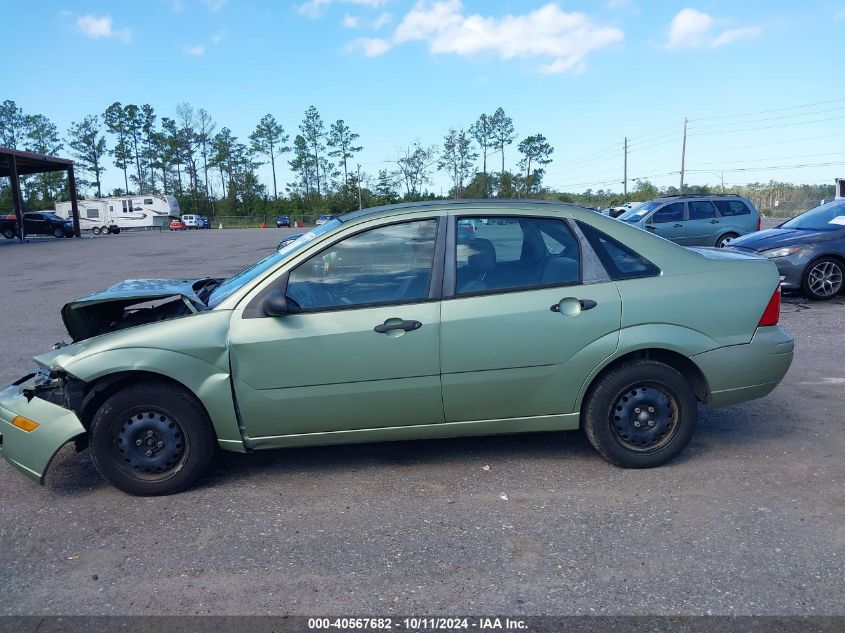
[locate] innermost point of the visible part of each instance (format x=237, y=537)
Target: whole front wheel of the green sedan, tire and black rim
x=151, y=438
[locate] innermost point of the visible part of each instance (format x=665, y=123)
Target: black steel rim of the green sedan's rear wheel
x=644, y=417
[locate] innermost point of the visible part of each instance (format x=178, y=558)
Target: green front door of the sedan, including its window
x=360, y=348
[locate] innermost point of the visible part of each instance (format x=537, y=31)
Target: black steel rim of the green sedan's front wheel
x=151, y=445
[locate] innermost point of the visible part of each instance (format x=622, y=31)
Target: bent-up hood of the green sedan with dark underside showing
x=130, y=303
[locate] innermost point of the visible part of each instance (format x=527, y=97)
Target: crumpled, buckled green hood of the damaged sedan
x=92, y=314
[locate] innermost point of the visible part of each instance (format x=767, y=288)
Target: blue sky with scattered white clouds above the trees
x=585, y=74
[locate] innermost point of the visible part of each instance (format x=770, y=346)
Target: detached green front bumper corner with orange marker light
x=31, y=452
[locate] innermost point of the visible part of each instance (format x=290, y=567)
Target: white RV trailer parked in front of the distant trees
x=104, y=215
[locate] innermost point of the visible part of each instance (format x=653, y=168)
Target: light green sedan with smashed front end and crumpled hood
x=437, y=319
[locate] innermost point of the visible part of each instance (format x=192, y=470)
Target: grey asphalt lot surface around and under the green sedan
x=749, y=520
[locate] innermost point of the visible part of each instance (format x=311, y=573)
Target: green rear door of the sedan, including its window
x=515, y=341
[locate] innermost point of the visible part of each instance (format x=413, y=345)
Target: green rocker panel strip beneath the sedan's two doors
x=563, y=422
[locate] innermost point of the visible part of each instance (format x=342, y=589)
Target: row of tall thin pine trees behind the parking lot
x=211, y=170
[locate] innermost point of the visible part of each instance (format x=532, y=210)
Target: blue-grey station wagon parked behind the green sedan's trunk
x=696, y=220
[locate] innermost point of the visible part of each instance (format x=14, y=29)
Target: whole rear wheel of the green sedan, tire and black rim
x=640, y=414
